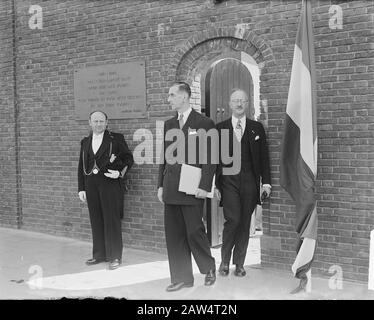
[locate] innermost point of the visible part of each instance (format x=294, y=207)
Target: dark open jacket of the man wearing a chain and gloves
x=112, y=144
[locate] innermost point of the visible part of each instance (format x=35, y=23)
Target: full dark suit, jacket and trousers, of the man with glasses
x=241, y=192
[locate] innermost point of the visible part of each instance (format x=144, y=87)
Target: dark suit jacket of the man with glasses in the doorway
x=258, y=150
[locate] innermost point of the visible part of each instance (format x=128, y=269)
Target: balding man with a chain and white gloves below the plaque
x=103, y=162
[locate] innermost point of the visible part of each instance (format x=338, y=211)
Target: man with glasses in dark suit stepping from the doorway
x=240, y=192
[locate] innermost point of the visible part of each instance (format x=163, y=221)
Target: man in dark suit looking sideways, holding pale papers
x=184, y=228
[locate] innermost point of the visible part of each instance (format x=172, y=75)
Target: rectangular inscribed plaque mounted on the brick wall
x=117, y=89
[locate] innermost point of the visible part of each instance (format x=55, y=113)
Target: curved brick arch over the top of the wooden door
x=204, y=46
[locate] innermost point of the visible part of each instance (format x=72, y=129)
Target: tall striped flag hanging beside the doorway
x=299, y=146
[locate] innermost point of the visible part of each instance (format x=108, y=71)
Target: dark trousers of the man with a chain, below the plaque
x=104, y=204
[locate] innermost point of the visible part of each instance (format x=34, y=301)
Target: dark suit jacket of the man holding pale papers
x=169, y=174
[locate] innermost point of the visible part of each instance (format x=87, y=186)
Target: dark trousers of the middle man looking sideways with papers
x=185, y=234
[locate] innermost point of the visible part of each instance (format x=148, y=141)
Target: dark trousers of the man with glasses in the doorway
x=239, y=199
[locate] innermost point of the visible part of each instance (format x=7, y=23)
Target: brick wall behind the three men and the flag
x=173, y=38
